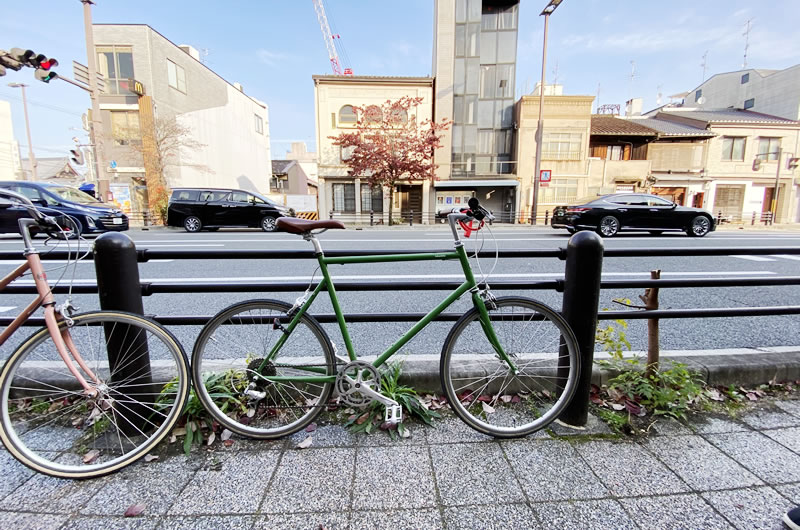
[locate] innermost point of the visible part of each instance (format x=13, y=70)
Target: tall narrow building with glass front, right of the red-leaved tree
x=474, y=65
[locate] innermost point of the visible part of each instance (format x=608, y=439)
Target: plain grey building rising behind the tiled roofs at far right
x=774, y=92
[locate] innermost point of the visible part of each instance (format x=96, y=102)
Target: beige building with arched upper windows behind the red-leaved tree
x=343, y=196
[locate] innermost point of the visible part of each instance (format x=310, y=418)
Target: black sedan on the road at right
x=611, y=214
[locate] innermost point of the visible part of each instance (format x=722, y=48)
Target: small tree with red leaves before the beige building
x=389, y=144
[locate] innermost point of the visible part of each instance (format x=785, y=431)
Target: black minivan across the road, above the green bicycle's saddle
x=198, y=209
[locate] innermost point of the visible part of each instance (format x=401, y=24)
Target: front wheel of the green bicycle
x=491, y=396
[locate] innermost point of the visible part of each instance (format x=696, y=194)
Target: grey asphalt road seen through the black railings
x=711, y=333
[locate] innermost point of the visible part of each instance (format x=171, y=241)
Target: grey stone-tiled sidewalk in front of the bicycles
x=713, y=473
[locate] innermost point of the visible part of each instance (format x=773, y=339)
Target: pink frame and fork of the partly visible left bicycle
x=61, y=337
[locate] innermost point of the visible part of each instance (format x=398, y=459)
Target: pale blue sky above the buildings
x=274, y=47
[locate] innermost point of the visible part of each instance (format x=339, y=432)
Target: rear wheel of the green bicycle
x=224, y=362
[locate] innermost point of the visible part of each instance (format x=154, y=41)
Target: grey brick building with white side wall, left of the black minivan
x=220, y=135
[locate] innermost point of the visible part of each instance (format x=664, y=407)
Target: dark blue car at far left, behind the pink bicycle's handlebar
x=92, y=215
